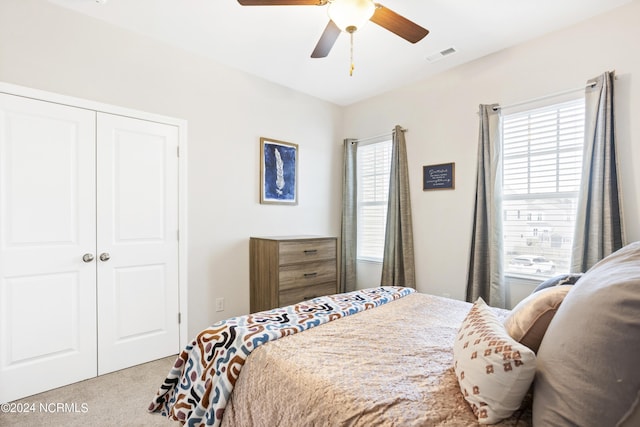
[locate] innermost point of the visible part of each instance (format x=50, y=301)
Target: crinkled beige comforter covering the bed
x=390, y=366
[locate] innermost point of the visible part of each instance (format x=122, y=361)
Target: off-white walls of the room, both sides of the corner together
x=50, y=48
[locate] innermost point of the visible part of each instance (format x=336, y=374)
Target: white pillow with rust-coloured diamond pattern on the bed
x=494, y=371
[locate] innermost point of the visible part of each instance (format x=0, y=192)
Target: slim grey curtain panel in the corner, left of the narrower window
x=348, y=235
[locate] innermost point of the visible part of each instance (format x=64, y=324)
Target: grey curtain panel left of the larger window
x=485, y=278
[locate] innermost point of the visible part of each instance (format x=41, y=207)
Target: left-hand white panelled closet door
x=47, y=224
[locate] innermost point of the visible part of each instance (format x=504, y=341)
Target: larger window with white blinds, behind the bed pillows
x=542, y=152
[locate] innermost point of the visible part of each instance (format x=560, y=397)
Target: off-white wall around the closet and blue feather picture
x=50, y=48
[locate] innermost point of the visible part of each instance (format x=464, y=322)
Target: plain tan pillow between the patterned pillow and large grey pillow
x=528, y=321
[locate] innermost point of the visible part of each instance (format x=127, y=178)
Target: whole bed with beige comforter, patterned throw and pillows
x=566, y=355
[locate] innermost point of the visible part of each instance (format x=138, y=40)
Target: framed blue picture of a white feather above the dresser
x=278, y=172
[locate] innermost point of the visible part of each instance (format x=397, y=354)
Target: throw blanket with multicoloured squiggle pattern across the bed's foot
x=198, y=386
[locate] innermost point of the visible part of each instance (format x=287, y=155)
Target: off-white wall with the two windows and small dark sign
x=441, y=115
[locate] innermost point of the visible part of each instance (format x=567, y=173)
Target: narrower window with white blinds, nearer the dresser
x=373, y=170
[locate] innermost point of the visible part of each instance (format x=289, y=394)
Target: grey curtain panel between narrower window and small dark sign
x=398, y=267
